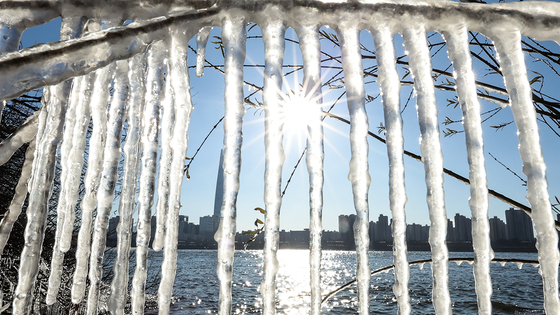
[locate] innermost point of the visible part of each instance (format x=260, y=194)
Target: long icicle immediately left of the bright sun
x=273, y=37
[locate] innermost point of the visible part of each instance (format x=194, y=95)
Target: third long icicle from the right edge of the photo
x=430, y=146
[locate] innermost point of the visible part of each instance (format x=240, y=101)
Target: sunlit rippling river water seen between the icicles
x=515, y=291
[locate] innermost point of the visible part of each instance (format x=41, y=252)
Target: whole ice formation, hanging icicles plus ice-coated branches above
x=134, y=60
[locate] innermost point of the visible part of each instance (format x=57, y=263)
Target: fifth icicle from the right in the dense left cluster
x=107, y=184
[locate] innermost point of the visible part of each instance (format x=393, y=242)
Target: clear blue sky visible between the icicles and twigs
x=208, y=98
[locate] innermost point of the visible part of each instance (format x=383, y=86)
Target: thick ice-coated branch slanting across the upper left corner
x=54, y=62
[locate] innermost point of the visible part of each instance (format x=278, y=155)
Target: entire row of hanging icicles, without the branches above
x=139, y=91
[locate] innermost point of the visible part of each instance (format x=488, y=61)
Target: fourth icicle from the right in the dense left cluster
x=121, y=274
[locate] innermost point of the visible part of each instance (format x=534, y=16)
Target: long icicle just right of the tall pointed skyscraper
x=234, y=37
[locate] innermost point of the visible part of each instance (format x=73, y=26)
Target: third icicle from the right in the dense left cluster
x=150, y=131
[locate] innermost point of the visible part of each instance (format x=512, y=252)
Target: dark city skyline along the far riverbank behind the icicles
x=517, y=230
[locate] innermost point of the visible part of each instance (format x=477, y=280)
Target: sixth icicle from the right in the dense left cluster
x=99, y=100
